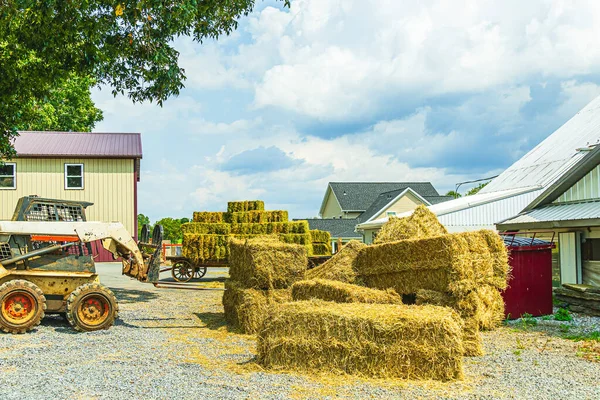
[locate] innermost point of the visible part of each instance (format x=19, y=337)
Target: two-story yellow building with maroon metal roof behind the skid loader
x=100, y=168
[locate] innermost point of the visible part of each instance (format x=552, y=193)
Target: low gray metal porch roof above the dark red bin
x=562, y=212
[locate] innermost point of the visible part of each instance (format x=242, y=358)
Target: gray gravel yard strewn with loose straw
x=174, y=345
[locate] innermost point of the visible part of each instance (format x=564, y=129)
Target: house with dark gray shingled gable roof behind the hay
x=347, y=204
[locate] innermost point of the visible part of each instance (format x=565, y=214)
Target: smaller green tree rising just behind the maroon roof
x=69, y=107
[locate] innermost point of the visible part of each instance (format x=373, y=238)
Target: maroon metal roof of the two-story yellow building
x=31, y=144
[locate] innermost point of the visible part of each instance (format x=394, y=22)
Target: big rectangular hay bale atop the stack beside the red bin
x=450, y=263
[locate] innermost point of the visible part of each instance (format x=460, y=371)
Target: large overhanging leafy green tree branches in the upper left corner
x=127, y=45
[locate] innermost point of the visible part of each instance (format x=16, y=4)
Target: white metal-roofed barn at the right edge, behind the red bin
x=554, y=188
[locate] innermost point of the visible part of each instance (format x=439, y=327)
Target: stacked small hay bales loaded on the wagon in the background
x=207, y=237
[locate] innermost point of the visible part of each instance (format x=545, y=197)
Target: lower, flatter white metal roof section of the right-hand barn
x=487, y=214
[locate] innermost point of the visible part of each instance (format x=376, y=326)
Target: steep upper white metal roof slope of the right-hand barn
x=555, y=155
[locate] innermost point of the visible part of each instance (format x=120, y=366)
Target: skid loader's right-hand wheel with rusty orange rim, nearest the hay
x=92, y=307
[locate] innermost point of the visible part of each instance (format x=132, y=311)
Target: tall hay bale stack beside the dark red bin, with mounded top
x=465, y=271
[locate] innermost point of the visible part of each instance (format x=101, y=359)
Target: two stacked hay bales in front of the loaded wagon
x=261, y=271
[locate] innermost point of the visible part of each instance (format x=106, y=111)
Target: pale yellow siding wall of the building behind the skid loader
x=108, y=183
